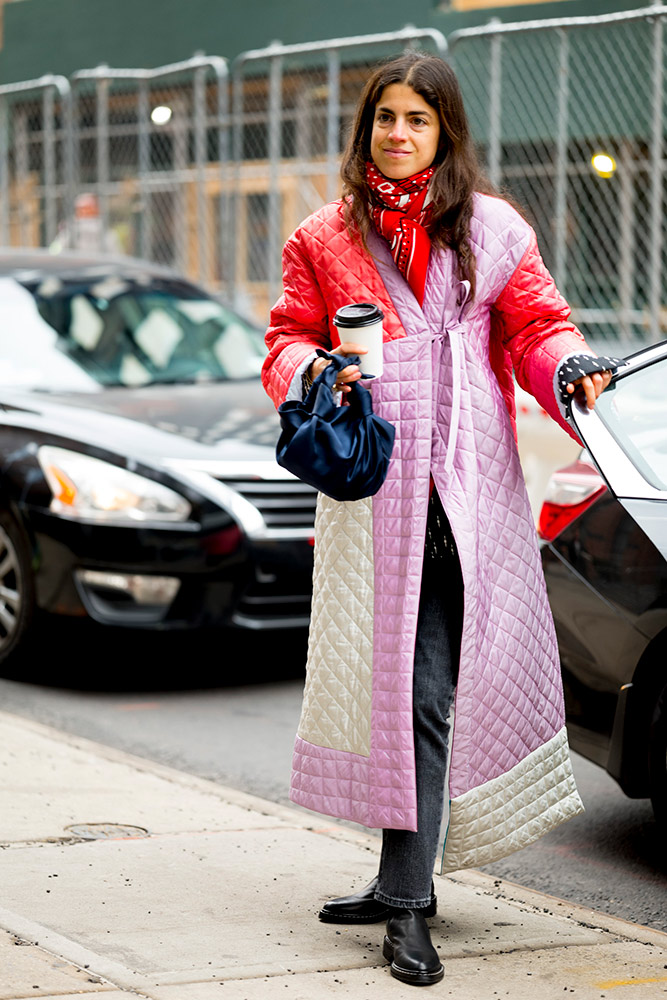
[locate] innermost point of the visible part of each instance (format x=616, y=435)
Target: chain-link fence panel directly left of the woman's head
x=292, y=108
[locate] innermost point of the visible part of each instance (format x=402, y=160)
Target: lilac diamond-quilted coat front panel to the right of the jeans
x=509, y=699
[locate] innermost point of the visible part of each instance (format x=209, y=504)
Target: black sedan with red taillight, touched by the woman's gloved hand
x=604, y=525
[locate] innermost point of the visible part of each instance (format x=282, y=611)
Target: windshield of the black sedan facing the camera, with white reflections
x=82, y=334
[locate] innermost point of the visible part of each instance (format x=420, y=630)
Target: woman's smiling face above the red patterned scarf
x=405, y=132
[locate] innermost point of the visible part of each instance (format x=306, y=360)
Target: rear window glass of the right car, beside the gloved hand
x=634, y=409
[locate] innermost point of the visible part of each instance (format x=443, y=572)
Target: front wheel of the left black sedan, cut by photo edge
x=17, y=587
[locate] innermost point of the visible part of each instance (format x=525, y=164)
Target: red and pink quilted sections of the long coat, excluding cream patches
x=447, y=388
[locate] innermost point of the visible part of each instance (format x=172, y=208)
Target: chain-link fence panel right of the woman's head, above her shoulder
x=570, y=118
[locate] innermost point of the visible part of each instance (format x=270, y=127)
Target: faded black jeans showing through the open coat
x=408, y=859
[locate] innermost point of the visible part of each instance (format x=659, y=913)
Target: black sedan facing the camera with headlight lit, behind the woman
x=139, y=485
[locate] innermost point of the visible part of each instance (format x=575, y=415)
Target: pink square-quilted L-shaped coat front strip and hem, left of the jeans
x=380, y=791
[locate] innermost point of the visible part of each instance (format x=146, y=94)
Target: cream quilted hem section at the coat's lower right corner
x=541, y=787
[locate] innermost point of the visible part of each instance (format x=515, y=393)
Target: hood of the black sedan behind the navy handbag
x=204, y=421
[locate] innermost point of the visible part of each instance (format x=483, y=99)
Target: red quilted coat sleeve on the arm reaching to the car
x=531, y=322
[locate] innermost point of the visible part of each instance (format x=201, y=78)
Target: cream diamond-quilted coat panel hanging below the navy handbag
x=336, y=709
